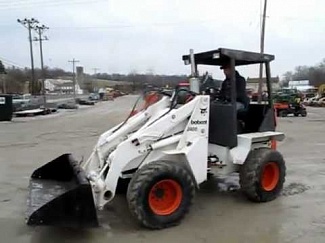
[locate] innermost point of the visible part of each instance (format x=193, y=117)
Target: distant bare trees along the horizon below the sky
x=15, y=78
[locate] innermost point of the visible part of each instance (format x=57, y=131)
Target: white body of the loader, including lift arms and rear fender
x=179, y=135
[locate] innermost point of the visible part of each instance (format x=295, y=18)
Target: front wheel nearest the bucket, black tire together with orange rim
x=160, y=194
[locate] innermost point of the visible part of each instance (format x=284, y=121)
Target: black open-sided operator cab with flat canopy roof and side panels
x=255, y=117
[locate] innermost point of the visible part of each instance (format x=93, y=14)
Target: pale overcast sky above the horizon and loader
x=141, y=35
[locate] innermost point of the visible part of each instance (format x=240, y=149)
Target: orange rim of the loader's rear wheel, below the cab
x=270, y=176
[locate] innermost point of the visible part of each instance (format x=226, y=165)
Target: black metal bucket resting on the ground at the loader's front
x=61, y=195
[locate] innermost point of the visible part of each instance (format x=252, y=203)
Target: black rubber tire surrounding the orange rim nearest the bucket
x=145, y=179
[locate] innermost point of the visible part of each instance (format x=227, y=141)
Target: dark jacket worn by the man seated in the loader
x=225, y=91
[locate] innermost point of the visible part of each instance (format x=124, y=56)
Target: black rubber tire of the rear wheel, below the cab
x=251, y=173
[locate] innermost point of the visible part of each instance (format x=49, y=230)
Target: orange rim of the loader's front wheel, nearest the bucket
x=165, y=197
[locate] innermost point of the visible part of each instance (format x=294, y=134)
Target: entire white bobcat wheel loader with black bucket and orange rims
x=166, y=151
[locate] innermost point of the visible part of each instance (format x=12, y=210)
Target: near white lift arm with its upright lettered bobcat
x=154, y=135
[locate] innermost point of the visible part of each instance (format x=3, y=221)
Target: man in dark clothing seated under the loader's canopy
x=242, y=100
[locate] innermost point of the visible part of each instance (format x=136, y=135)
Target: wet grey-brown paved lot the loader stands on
x=216, y=216
